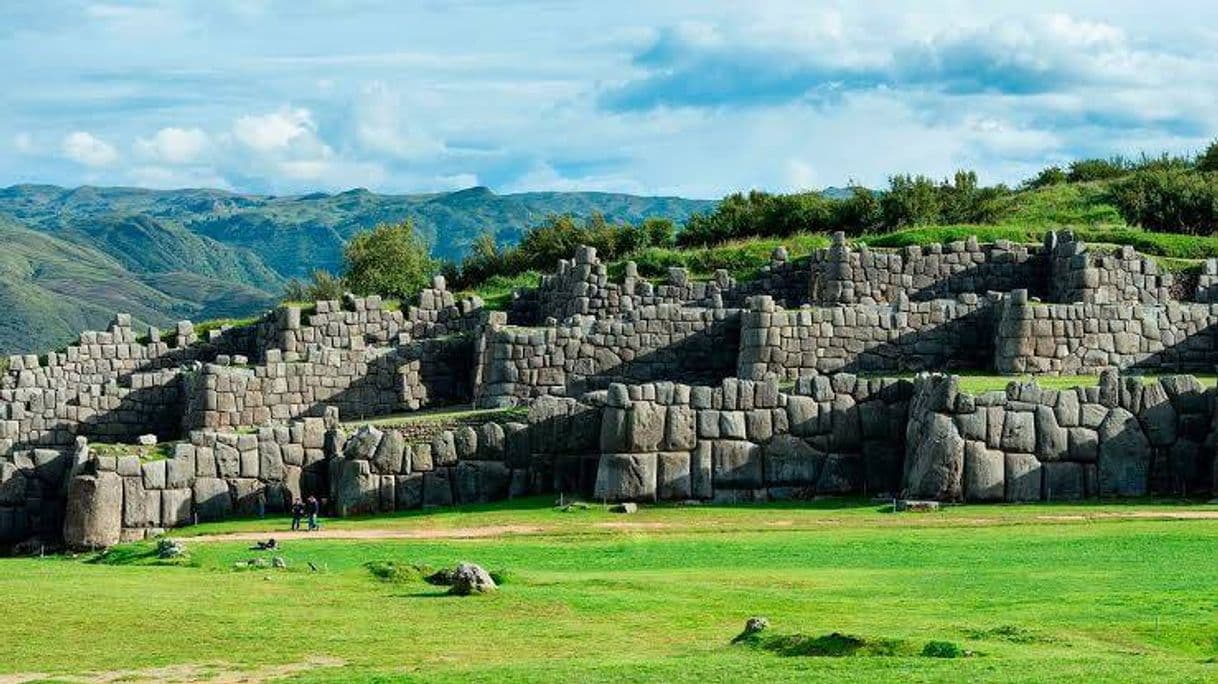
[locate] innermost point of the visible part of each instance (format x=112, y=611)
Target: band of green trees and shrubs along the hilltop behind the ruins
x=1163, y=194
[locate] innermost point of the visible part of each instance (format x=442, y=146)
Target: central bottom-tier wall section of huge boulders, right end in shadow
x=746, y=441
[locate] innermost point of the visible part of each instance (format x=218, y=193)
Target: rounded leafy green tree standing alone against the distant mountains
x=390, y=261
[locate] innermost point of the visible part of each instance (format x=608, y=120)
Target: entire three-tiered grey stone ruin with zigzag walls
x=794, y=385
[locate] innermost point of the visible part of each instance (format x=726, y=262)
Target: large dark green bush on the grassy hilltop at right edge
x=1171, y=201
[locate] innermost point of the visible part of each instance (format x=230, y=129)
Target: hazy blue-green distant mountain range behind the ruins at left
x=72, y=257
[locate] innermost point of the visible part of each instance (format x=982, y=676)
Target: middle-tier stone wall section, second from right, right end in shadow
x=945, y=334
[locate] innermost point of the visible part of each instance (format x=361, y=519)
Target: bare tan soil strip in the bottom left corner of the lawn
x=219, y=674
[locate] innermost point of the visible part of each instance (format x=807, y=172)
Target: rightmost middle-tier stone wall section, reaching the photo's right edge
x=1087, y=338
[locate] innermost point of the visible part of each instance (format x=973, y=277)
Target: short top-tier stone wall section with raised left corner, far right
x=1085, y=274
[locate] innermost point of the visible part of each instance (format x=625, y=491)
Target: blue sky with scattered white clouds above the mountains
x=653, y=98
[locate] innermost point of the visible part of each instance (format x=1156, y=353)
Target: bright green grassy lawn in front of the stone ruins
x=1036, y=593
